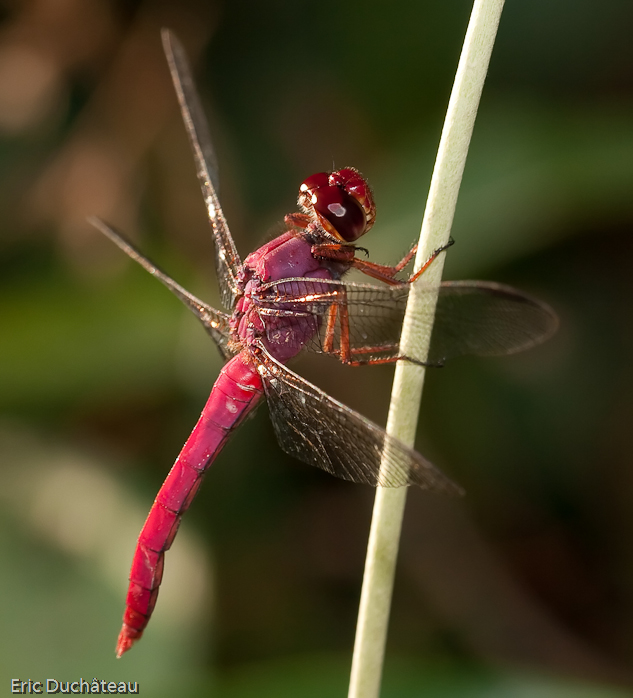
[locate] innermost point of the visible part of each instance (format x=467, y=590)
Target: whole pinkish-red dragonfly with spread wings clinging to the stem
x=288, y=296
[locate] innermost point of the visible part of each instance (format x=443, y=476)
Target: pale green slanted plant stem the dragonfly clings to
x=384, y=537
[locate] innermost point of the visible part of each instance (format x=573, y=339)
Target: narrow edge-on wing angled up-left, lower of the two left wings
x=215, y=322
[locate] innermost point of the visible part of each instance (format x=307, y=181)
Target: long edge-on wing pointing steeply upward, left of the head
x=227, y=259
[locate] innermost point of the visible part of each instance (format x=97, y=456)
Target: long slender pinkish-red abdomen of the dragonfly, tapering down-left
x=235, y=393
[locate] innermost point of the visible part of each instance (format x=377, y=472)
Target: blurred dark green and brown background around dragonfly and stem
x=524, y=588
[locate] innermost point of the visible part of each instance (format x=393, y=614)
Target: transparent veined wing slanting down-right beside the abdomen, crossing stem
x=313, y=427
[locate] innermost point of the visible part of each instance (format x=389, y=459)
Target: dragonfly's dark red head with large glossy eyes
x=341, y=202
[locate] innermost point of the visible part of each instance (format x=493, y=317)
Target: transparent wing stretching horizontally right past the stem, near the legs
x=472, y=317
